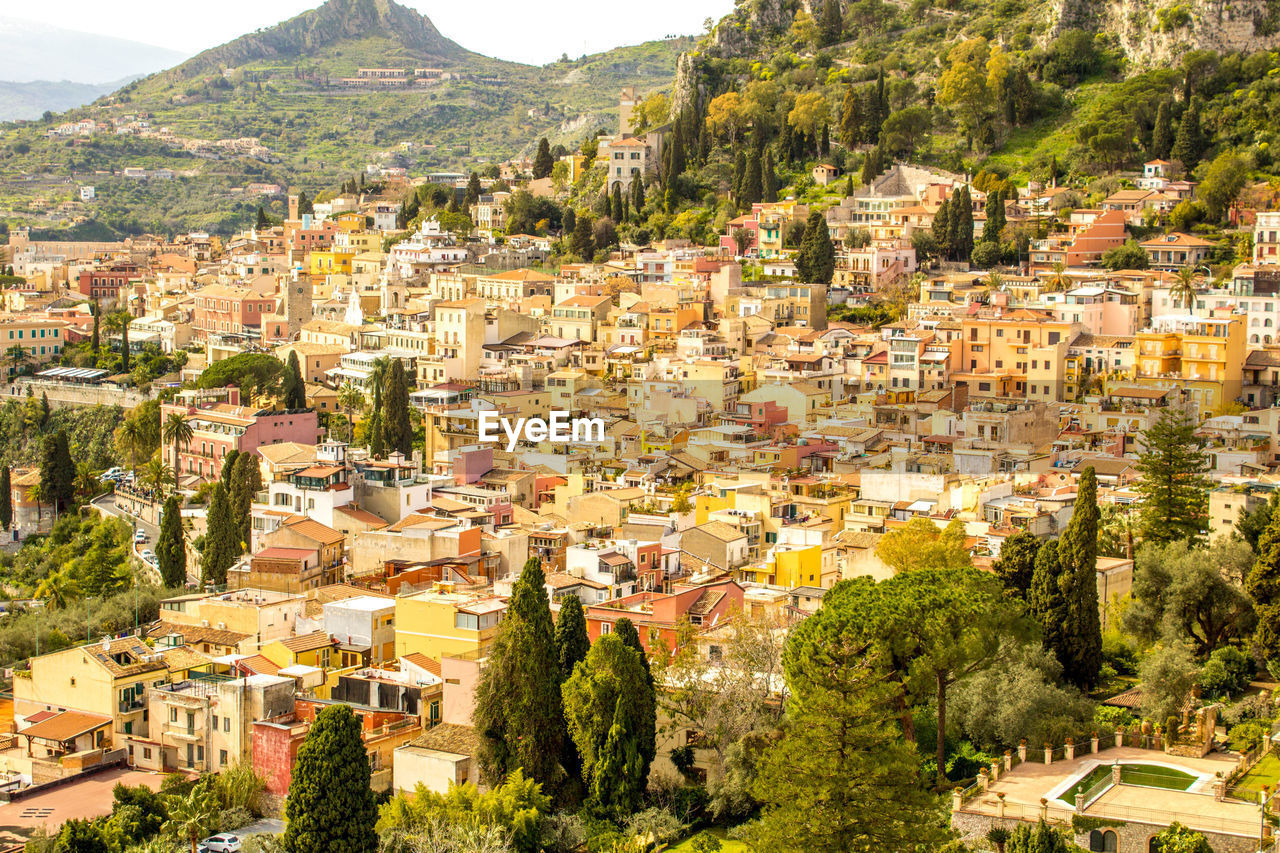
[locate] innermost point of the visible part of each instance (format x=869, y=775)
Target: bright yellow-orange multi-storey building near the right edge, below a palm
x=1203, y=357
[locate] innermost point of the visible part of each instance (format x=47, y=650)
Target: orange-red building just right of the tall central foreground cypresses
x=657, y=615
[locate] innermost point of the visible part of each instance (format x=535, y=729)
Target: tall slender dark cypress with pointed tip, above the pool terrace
x=1078, y=555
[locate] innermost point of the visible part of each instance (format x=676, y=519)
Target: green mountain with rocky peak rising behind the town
x=298, y=90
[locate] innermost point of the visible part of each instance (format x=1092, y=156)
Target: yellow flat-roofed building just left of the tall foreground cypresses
x=437, y=623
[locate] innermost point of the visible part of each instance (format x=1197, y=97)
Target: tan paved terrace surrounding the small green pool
x=1028, y=783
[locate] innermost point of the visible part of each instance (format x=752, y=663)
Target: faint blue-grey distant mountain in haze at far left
x=35, y=52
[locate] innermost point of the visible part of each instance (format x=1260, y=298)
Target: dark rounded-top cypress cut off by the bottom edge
x=331, y=808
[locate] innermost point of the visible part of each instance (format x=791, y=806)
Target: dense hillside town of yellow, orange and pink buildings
x=737, y=440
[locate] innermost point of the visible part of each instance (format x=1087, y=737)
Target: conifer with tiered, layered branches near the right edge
x=1174, y=486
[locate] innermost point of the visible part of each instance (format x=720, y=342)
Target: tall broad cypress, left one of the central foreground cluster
x=518, y=703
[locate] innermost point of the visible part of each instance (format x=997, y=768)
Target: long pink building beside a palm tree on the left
x=221, y=426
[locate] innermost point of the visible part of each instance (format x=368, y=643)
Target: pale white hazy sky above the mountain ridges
x=506, y=29
